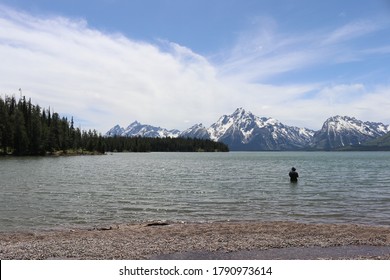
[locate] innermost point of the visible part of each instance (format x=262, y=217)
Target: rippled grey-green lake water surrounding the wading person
x=87, y=191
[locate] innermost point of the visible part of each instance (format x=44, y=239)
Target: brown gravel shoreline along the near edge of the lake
x=148, y=241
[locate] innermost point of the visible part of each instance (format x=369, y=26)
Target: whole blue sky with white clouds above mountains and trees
x=176, y=63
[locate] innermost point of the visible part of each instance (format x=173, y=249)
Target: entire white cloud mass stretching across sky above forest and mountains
x=105, y=79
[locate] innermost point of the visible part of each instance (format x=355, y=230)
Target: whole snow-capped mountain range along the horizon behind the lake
x=243, y=131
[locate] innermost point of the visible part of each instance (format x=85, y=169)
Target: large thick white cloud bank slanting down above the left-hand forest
x=103, y=78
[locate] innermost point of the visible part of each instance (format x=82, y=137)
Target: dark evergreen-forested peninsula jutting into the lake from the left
x=28, y=130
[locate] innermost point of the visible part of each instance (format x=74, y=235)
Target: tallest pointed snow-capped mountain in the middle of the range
x=244, y=131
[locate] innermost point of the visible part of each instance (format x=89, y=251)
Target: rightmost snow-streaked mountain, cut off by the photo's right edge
x=340, y=131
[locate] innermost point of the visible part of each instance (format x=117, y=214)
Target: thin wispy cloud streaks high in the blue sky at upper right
x=265, y=52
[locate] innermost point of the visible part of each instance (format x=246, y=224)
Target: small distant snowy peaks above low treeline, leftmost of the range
x=144, y=130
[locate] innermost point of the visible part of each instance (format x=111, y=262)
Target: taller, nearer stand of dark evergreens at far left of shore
x=27, y=129
